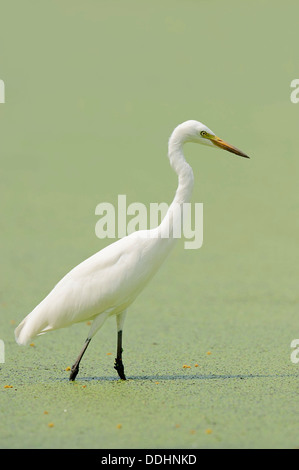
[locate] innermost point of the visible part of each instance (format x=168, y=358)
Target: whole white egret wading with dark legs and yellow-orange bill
x=109, y=281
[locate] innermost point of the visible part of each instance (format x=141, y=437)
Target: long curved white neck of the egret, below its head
x=173, y=218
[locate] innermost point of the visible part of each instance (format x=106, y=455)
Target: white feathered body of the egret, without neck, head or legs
x=108, y=281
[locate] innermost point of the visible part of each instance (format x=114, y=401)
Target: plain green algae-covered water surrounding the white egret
x=93, y=91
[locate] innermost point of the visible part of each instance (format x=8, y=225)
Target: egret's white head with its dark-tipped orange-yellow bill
x=195, y=131
